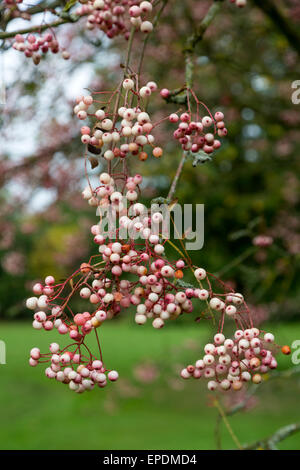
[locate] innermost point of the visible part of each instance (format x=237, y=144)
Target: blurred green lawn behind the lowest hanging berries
x=37, y=413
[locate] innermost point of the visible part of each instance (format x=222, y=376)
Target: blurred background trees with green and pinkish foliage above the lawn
x=244, y=65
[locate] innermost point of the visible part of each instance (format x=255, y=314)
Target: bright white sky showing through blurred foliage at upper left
x=62, y=86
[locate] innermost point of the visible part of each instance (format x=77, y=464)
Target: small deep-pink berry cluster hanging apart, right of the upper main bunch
x=193, y=135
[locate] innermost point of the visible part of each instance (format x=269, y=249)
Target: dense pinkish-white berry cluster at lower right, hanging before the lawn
x=229, y=363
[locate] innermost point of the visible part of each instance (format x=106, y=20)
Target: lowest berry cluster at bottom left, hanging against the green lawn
x=79, y=371
